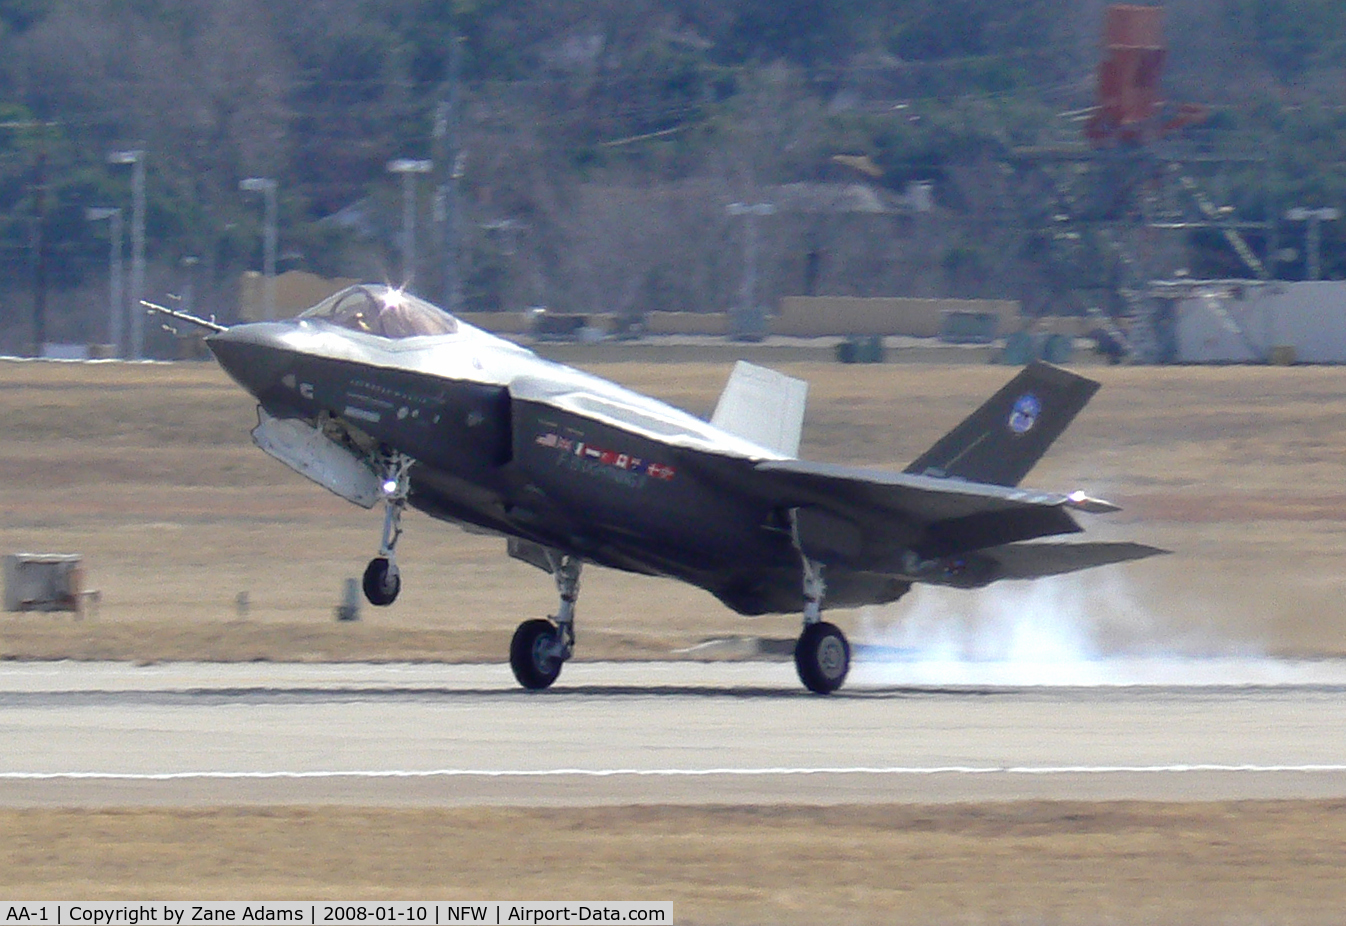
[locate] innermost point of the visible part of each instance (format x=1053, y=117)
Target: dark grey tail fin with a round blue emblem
x=1006, y=438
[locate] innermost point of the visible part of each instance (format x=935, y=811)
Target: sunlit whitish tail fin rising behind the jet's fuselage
x=764, y=407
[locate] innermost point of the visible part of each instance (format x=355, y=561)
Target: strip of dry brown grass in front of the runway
x=1018, y=863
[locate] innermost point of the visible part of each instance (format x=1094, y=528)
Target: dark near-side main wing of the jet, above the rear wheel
x=853, y=513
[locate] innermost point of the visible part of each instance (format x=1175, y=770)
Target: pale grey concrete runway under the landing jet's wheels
x=674, y=733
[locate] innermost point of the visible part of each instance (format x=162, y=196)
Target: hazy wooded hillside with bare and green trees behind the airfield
x=592, y=147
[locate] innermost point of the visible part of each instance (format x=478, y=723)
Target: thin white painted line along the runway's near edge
x=670, y=773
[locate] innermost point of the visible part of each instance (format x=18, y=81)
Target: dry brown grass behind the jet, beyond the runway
x=149, y=472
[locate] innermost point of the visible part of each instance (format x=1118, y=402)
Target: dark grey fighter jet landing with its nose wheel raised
x=388, y=400
